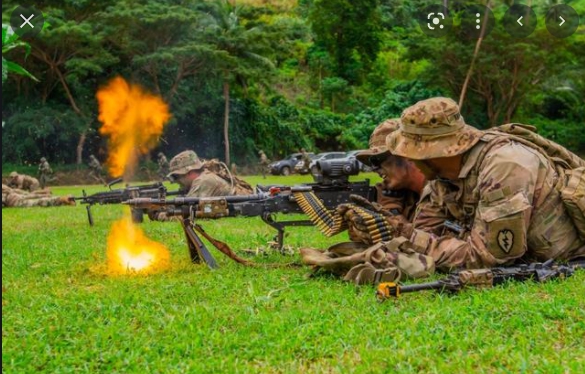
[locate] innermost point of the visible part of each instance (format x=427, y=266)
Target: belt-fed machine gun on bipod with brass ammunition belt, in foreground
x=312, y=199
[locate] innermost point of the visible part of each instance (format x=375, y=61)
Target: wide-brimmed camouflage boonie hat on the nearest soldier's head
x=432, y=128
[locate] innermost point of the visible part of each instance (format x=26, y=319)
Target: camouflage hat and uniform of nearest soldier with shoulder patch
x=505, y=199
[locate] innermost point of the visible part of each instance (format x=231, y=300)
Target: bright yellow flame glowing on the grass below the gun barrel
x=129, y=250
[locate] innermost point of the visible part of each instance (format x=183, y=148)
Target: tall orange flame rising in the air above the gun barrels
x=133, y=119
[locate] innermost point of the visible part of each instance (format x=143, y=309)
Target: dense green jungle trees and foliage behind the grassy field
x=318, y=74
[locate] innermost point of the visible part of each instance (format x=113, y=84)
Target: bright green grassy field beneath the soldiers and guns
x=62, y=313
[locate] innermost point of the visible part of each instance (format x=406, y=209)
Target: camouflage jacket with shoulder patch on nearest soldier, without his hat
x=505, y=206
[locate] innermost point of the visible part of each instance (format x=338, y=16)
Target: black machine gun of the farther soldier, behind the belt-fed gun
x=117, y=196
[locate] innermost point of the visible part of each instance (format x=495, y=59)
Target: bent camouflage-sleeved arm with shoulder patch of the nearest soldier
x=498, y=234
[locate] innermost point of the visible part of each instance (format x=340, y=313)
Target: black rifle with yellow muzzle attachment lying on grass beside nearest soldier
x=455, y=282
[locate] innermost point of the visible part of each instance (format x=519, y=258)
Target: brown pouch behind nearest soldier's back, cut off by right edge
x=573, y=196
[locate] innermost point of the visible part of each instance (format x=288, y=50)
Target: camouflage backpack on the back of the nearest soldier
x=571, y=168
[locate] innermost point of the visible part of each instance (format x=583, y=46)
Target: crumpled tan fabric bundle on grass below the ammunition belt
x=382, y=262
